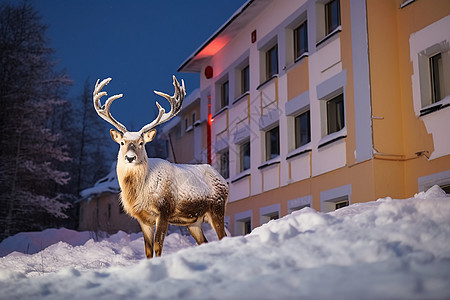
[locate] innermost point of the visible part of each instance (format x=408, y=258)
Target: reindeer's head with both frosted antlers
x=132, y=150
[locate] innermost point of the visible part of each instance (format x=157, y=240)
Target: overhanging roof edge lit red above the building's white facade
x=241, y=18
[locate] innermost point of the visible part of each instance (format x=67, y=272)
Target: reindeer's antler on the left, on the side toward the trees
x=103, y=110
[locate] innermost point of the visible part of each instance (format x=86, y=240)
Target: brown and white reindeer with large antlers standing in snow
x=157, y=192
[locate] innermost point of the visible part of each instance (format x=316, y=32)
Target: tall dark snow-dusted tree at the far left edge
x=31, y=150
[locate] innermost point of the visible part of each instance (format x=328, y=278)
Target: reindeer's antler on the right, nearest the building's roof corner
x=175, y=105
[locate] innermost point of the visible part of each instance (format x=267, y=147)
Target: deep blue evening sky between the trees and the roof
x=140, y=44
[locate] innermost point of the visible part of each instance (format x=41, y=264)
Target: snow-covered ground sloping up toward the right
x=387, y=249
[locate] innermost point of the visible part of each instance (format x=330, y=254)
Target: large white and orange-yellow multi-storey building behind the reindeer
x=325, y=103
